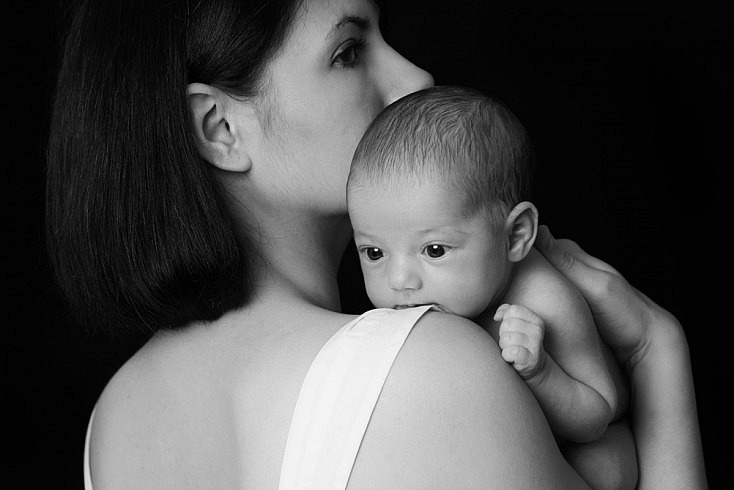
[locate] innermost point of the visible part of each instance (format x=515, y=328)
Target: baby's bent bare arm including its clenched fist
x=553, y=344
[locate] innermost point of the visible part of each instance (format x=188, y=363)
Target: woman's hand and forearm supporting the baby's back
x=651, y=344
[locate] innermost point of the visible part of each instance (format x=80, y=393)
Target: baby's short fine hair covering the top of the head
x=455, y=136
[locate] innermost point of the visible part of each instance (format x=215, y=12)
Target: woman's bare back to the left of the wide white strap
x=208, y=406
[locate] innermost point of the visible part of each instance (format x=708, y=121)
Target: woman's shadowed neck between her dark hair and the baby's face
x=300, y=258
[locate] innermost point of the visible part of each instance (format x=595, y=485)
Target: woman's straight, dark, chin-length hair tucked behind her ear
x=138, y=230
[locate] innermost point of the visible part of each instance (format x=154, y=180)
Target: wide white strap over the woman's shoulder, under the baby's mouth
x=338, y=396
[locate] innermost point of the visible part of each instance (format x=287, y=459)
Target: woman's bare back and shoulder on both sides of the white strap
x=211, y=407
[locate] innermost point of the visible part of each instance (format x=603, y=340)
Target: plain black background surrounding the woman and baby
x=630, y=109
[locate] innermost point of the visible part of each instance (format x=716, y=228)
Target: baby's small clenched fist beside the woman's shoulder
x=521, y=339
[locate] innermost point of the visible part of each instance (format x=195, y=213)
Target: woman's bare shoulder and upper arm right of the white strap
x=452, y=414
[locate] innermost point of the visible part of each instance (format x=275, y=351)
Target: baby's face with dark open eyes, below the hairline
x=416, y=248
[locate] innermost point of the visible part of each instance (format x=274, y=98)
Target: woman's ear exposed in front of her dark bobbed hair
x=221, y=140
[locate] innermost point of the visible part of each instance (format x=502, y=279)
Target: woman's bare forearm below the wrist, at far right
x=664, y=417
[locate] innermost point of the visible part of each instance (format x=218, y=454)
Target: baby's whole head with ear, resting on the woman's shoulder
x=437, y=195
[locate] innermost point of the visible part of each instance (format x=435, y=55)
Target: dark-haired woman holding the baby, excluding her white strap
x=197, y=189
